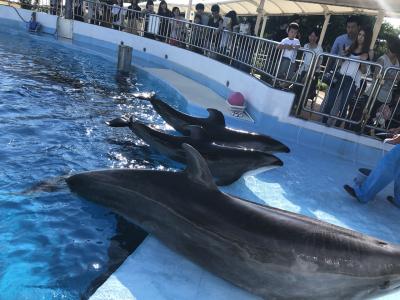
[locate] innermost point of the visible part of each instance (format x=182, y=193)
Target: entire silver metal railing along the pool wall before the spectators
x=332, y=89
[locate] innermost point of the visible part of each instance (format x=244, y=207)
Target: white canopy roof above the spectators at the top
x=300, y=7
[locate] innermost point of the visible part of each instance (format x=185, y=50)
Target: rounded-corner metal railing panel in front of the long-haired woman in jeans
x=341, y=90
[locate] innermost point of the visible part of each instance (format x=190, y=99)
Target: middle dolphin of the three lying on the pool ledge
x=227, y=164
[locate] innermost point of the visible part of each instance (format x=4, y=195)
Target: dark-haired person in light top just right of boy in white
x=312, y=46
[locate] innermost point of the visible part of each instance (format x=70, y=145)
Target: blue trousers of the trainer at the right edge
x=387, y=170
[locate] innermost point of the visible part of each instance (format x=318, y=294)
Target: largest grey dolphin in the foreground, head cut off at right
x=270, y=252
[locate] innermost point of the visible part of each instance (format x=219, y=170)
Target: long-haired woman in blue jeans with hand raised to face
x=349, y=77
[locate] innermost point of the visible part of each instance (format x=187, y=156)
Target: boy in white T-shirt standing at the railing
x=289, y=46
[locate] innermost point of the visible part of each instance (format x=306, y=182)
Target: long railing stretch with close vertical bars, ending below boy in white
x=256, y=55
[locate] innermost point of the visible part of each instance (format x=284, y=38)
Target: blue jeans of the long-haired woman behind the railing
x=344, y=87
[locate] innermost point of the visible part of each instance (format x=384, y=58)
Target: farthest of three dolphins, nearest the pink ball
x=215, y=127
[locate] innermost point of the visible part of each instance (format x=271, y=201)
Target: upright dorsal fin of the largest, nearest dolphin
x=197, y=168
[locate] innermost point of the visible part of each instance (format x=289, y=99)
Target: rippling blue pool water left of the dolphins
x=53, y=104
